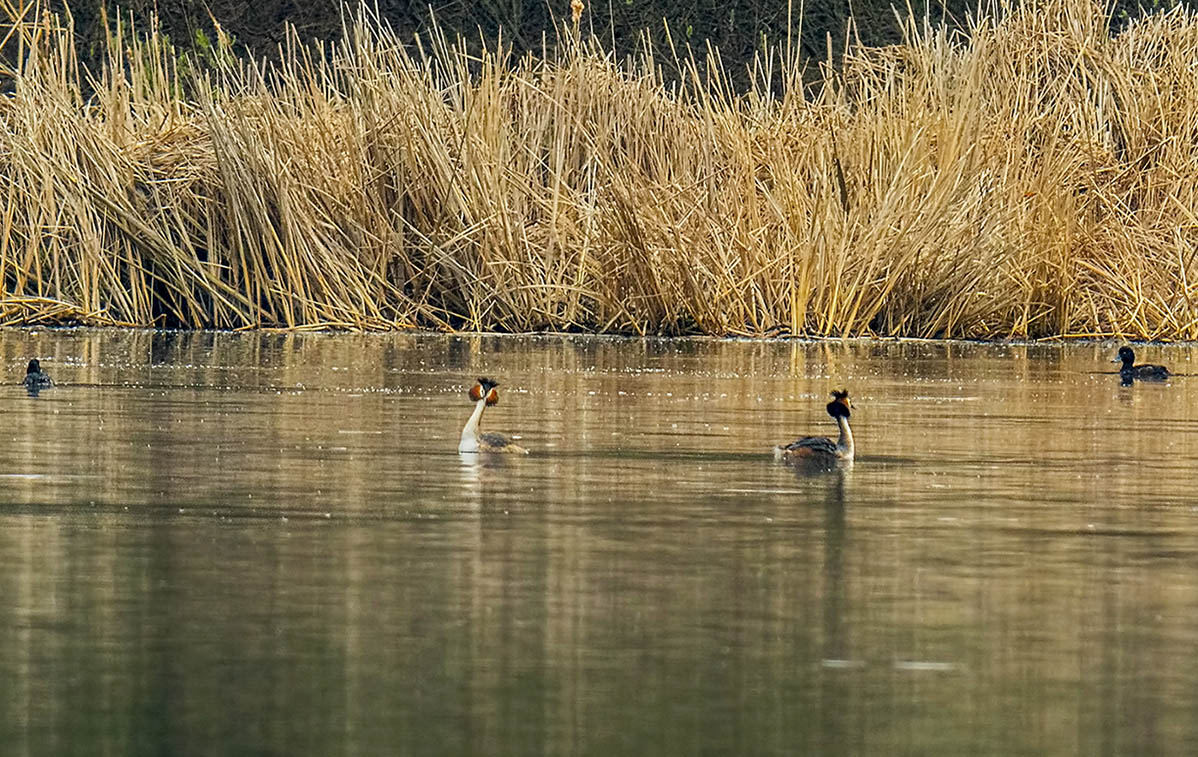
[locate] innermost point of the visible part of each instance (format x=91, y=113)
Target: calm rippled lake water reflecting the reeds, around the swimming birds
x=262, y=544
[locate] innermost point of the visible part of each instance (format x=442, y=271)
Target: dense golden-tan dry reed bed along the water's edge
x=1037, y=179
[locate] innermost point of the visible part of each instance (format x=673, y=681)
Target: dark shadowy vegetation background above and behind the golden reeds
x=737, y=28
